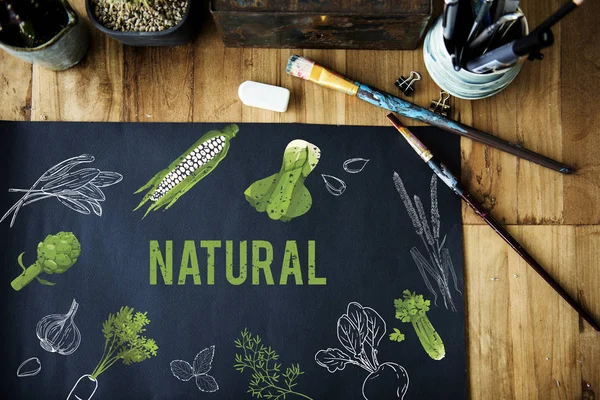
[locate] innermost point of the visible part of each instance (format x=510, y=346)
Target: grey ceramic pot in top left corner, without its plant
x=61, y=52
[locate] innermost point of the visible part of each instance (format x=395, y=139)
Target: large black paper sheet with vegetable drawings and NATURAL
x=363, y=302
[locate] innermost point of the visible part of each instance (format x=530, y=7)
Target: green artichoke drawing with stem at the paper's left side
x=55, y=255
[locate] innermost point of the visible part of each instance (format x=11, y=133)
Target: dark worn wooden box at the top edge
x=323, y=24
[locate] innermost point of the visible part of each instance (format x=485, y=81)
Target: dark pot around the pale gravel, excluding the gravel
x=178, y=35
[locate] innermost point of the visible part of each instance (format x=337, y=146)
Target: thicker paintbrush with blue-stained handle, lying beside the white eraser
x=308, y=70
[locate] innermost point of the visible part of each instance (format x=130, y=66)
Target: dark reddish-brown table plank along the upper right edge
x=580, y=82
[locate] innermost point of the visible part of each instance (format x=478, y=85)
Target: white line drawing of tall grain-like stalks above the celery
x=437, y=266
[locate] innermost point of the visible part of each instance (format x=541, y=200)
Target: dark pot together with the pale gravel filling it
x=143, y=22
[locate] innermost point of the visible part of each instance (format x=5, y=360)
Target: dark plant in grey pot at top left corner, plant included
x=44, y=32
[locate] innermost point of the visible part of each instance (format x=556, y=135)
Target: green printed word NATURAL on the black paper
x=260, y=254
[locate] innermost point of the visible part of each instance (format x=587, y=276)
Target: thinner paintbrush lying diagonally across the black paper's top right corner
x=450, y=180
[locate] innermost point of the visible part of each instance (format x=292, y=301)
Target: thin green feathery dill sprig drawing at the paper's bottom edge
x=267, y=382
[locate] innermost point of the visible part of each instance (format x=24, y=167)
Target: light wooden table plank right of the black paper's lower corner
x=525, y=342
